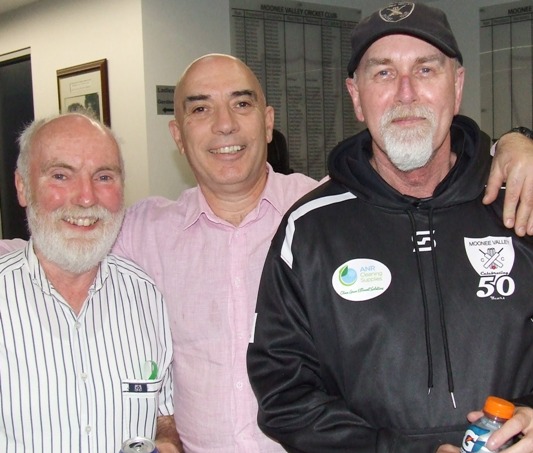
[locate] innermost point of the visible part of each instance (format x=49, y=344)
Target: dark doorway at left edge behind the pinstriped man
x=16, y=110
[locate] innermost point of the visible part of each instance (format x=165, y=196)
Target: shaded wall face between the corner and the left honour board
x=175, y=33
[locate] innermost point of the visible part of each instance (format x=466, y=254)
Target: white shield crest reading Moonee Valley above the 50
x=490, y=255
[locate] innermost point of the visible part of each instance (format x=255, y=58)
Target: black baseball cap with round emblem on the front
x=404, y=18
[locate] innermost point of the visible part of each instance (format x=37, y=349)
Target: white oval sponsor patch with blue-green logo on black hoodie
x=361, y=279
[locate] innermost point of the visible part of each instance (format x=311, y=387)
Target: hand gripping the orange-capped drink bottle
x=520, y=423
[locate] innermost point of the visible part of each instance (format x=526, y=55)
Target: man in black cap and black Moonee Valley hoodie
x=392, y=301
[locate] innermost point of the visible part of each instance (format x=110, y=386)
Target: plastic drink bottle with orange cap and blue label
x=495, y=413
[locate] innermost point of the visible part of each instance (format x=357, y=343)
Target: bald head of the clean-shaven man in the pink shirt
x=222, y=125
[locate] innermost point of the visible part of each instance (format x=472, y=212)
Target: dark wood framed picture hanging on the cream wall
x=85, y=87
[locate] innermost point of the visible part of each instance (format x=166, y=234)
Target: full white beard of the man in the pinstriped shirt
x=75, y=253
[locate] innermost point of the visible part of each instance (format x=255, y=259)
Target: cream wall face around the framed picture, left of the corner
x=64, y=33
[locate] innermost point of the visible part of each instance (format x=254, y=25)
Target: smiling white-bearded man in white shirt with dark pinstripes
x=86, y=351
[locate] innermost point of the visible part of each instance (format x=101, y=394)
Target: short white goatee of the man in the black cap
x=408, y=148
